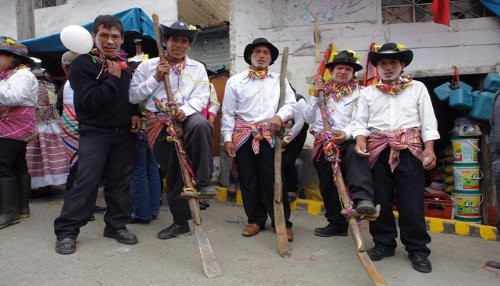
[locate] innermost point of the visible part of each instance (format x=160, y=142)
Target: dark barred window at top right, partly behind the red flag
x=413, y=11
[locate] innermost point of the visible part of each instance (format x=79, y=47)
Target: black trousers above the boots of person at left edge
x=12, y=158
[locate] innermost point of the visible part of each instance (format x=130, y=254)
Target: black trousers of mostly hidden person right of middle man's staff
x=291, y=154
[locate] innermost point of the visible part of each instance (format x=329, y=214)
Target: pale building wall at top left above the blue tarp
x=52, y=20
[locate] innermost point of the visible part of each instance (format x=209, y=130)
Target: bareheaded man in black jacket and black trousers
x=107, y=123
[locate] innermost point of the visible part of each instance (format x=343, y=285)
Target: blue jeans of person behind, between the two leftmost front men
x=146, y=186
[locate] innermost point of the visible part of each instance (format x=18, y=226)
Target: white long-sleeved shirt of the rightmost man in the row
x=410, y=108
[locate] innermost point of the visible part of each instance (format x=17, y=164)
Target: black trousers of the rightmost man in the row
x=405, y=186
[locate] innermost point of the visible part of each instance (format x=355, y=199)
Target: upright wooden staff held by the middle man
x=279, y=215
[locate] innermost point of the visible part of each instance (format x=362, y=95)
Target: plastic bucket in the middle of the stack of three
x=466, y=177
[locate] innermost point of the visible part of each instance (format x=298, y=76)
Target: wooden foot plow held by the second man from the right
x=365, y=260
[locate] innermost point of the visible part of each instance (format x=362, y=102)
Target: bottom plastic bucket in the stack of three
x=467, y=207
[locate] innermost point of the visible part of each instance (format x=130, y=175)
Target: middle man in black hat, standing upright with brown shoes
x=250, y=120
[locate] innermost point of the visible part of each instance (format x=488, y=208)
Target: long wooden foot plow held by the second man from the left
x=210, y=264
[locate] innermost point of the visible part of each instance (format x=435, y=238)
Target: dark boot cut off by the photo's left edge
x=9, y=202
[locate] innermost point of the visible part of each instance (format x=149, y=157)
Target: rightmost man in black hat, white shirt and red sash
x=394, y=117
